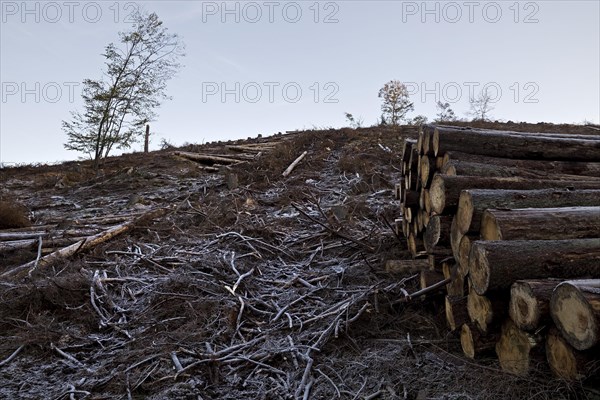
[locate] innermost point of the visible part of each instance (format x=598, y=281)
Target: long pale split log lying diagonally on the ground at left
x=82, y=245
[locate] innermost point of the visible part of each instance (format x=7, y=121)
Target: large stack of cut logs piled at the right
x=512, y=221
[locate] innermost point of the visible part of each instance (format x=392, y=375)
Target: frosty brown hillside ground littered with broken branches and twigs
x=251, y=286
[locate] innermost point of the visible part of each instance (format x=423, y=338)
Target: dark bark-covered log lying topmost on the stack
x=515, y=145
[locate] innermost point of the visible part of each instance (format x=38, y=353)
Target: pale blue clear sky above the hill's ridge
x=262, y=67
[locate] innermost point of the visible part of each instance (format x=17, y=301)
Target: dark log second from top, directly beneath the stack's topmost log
x=552, y=167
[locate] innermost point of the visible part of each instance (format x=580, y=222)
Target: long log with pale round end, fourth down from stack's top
x=445, y=190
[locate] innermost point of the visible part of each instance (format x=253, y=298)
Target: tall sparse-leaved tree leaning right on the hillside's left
x=117, y=106
